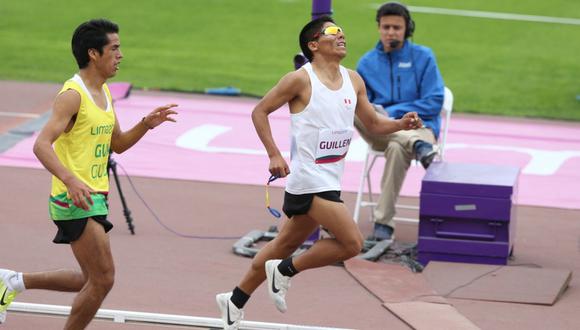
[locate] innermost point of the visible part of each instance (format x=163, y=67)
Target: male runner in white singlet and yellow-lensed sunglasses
x=323, y=97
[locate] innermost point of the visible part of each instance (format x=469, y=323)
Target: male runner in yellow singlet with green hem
x=74, y=146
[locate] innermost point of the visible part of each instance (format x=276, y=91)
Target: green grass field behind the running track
x=502, y=67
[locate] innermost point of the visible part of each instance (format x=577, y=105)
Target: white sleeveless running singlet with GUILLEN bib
x=321, y=135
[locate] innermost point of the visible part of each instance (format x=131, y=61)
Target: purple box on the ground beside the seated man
x=466, y=213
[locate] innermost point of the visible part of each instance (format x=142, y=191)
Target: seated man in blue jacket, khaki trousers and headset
x=401, y=77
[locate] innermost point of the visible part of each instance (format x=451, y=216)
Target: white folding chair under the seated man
x=372, y=155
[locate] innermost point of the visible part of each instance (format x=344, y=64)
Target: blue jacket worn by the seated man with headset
x=404, y=80
